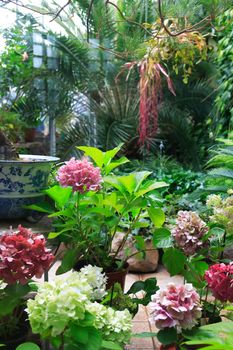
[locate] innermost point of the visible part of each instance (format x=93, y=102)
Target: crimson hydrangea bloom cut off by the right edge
x=220, y=281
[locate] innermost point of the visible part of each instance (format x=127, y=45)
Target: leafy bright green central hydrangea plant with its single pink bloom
x=91, y=205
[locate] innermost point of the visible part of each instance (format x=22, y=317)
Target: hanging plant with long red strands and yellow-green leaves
x=182, y=51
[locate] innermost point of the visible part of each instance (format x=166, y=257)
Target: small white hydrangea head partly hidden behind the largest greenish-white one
x=97, y=279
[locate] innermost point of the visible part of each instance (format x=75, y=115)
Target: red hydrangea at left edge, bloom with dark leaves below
x=23, y=255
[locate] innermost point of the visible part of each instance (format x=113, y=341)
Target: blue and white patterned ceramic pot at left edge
x=22, y=182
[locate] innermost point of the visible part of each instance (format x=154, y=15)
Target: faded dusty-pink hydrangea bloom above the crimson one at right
x=189, y=231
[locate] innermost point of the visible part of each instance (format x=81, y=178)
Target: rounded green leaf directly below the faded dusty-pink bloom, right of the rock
x=174, y=260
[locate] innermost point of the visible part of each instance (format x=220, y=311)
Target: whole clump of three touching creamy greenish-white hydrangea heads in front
x=63, y=301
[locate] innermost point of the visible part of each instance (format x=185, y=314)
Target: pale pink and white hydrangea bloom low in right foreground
x=176, y=306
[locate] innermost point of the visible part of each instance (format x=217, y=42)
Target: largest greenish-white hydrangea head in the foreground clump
x=57, y=302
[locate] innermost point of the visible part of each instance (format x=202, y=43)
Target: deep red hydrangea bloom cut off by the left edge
x=23, y=255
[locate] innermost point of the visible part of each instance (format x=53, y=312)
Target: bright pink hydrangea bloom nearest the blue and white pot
x=81, y=175
